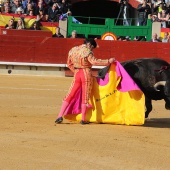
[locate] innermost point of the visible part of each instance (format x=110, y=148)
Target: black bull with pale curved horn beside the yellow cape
x=152, y=75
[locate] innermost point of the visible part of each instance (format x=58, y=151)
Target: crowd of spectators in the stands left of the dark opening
x=42, y=10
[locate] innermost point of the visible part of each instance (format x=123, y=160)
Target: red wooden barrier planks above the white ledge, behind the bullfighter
x=45, y=49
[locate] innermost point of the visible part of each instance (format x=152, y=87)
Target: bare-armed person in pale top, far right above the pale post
x=163, y=18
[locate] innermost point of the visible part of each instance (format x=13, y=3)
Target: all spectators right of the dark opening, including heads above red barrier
x=156, y=10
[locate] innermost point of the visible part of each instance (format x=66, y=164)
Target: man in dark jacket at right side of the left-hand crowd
x=53, y=13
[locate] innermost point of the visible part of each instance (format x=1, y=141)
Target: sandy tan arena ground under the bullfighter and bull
x=29, y=140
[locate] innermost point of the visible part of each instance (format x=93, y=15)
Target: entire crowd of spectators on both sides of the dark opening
x=55, y=10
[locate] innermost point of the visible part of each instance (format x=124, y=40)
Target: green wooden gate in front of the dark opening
x=88, y=28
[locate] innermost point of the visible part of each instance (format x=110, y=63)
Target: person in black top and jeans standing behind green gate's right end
x=143, y=11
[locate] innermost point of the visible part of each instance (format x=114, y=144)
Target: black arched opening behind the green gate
x=98, y=9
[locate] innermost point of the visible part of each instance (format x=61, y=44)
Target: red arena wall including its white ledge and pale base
x=38, y=51
